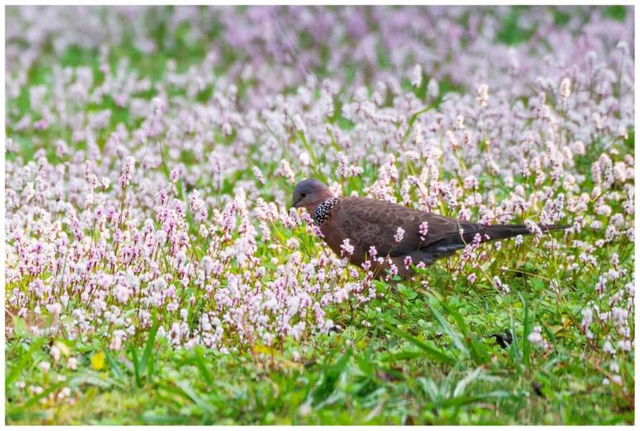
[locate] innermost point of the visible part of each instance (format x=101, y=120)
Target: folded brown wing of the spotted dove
x=369, y=222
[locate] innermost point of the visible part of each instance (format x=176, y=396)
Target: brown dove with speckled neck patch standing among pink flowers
x=368, y=223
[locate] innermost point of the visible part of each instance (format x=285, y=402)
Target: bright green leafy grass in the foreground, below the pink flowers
x=421, y=360
